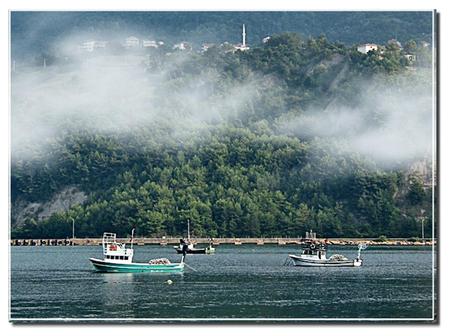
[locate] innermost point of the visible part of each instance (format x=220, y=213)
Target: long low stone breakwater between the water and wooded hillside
x=219, y=241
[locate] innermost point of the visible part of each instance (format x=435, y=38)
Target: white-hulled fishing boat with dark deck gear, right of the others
x=315, y=255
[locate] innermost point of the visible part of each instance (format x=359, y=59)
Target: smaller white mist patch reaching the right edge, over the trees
x=388, y=121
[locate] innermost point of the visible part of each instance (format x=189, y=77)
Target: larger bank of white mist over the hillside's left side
x=114, y=92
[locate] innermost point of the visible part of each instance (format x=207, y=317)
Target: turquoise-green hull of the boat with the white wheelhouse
x=109, y=267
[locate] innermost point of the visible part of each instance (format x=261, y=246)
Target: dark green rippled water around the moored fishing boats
x=236, y=282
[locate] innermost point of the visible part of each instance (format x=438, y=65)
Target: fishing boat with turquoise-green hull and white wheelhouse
x=119, y=258
